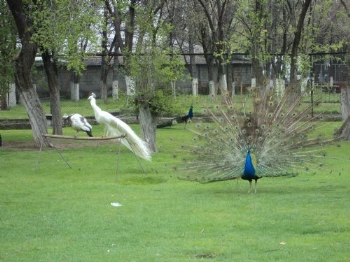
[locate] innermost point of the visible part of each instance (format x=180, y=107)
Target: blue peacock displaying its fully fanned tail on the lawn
x=270, y=137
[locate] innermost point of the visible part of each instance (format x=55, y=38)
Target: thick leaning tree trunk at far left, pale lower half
x=23, y=66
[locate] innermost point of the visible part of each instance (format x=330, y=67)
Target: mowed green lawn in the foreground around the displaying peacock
x=50, y=212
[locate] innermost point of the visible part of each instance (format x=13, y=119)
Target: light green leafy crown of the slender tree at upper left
x=66, y=29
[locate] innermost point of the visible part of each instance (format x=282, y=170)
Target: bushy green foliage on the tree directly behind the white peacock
x=155, y=68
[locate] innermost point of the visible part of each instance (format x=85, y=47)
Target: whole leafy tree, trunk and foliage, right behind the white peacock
x=154, y=67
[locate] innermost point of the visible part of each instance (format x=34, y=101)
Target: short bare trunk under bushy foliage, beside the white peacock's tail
x=148, y=124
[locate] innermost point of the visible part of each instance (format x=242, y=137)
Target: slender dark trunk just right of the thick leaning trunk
x=55, y=103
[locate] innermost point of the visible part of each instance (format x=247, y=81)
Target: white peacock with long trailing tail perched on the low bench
x=114, y=126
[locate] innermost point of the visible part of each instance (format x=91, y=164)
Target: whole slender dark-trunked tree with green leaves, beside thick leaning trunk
x=64, y=30
